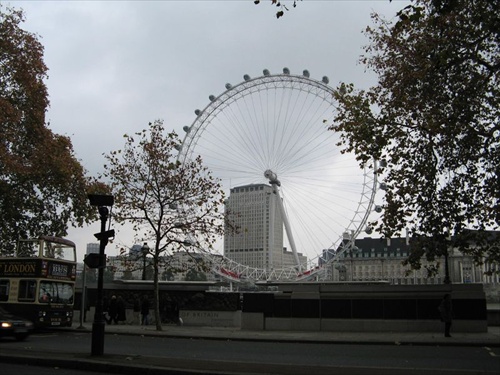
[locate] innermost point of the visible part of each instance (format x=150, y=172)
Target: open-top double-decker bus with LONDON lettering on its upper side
x=38, y=282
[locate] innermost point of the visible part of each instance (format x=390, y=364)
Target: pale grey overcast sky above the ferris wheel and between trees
x=114, y=66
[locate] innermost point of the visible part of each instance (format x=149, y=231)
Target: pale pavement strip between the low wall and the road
x=490, y=338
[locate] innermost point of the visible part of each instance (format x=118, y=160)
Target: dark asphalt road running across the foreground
x=260, y=356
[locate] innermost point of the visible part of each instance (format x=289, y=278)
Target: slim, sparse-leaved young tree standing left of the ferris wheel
x=170, y=205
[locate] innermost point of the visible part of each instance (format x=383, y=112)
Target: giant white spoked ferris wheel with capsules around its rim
x=273, y=129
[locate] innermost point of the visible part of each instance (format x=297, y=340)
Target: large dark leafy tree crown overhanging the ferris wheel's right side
x=433, y=118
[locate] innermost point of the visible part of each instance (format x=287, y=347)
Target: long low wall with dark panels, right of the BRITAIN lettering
x=364, y=307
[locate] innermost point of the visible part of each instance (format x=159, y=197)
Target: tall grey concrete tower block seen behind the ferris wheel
x=258, y=240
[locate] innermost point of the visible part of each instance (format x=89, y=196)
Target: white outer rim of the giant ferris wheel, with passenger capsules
x=226, y=266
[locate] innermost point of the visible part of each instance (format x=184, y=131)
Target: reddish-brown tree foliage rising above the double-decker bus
x=42, y=185
